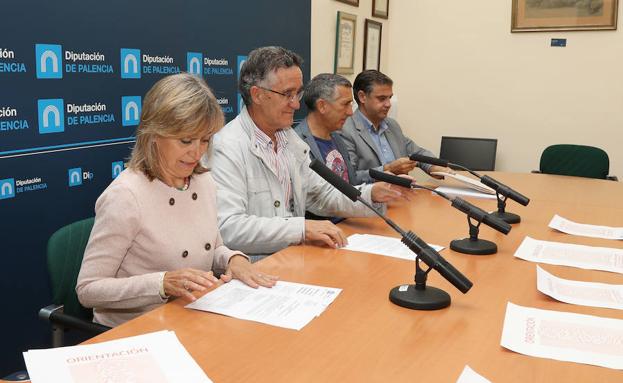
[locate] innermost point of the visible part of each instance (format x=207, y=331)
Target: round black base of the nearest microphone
x=430, y=298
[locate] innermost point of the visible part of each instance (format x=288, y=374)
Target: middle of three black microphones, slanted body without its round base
x=471, y=210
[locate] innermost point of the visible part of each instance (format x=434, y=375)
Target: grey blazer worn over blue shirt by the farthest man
x=364, y=153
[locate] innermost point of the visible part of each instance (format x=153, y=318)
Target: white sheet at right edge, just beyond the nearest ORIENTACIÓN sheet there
x=580, y=293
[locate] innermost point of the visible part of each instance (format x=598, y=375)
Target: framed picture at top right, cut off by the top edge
x=563, y=15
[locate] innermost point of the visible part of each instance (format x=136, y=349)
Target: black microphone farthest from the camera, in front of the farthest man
x=499, y=187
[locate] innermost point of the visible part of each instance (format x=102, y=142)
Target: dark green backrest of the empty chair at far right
x=575, y=160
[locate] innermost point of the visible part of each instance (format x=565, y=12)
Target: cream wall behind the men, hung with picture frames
x=459, y=71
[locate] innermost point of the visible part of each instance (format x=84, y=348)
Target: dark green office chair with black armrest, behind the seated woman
x=65, y=251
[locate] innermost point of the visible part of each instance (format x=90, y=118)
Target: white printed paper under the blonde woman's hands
x=287, y=304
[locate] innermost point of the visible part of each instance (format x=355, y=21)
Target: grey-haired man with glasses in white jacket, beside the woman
x=262, y=170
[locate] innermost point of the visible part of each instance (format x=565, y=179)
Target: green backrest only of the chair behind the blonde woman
x=65, y=251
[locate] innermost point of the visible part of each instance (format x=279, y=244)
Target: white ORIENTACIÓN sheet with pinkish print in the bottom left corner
x=158, y=357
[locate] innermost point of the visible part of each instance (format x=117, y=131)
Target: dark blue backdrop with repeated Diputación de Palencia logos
x=72, y=76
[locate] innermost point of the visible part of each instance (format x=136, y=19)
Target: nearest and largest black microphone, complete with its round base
x=423, y=251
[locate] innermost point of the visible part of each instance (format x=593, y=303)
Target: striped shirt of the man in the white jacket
x=277, y=161
